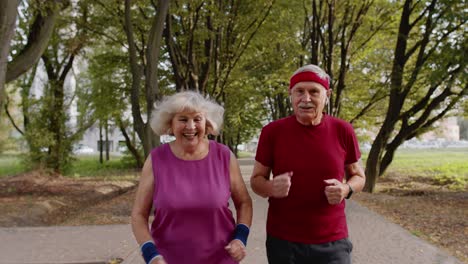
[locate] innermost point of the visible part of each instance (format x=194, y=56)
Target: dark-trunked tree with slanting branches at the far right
x=427, y=78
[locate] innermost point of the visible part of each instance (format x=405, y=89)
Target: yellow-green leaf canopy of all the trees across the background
x=253, y=81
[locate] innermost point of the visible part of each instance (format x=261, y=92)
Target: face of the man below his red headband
x=308, y=100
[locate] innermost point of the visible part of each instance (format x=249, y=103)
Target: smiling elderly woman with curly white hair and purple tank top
x=189, y=182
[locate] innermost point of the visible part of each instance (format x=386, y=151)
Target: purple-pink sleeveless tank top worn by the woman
x=192, y=221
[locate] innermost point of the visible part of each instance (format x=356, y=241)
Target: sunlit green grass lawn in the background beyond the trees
x=449, y=163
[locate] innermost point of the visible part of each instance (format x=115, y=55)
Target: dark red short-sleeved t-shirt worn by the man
x=313, y=154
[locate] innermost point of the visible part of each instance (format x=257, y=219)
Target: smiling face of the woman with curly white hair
x=189, y=128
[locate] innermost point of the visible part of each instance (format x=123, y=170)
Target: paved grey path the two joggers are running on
x=376, y=241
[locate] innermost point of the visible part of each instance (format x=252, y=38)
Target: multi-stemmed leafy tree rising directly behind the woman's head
x=206, y=41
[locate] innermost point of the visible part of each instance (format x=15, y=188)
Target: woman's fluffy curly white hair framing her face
x=186, y=101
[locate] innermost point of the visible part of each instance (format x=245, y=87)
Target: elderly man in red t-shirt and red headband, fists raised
x=315, y=162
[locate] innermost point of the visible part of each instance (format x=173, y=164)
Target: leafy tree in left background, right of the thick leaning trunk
x=48, y=132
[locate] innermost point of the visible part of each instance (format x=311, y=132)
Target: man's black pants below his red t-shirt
x=284, y=252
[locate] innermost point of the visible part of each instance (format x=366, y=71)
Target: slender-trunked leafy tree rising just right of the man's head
x=333, y=31
